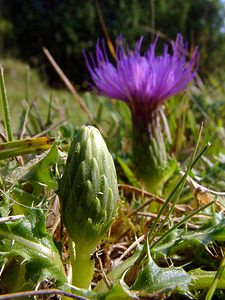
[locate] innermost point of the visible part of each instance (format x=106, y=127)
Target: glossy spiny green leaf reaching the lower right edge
x=195, y=244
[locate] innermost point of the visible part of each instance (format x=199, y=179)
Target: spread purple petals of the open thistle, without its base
x=139, y=79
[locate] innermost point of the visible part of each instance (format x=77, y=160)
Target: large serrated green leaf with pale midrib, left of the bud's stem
x=28, y=241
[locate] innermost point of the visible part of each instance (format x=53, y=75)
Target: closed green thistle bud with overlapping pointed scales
x=88, y=189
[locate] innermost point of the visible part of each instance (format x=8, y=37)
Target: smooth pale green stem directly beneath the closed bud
x=82, y=265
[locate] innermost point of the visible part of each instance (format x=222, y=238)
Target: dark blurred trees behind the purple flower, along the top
x=66, y=27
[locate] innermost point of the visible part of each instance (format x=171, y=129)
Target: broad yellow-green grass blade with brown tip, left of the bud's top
x=27, y=146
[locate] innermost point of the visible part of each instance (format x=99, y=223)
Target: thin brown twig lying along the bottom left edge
x=40, y=293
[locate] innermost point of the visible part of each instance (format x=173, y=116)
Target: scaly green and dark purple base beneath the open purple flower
x=149, y=151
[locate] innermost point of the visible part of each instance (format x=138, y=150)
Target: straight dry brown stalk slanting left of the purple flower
x=68, y=84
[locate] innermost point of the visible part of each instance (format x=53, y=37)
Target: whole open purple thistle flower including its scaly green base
x=144, y=82
